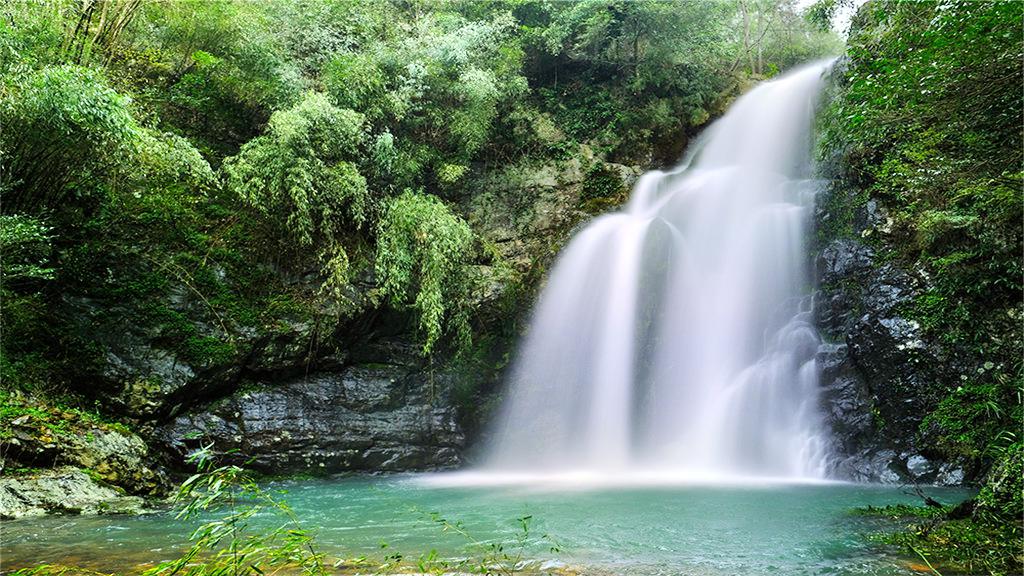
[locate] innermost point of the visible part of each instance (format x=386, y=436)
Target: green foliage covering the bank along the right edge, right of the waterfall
x=927, y=121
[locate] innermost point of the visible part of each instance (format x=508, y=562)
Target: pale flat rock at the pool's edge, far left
x=65, y=490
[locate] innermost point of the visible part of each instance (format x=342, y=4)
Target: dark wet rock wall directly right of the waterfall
x=878, y=368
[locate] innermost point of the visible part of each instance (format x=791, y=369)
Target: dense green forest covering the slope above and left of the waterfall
x=221, y=143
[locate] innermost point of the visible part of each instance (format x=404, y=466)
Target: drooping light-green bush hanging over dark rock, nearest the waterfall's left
x=422, y=249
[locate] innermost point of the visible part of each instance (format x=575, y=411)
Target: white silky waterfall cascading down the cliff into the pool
x=675, y=337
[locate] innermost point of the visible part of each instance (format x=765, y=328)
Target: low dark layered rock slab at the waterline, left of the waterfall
x=365, y=418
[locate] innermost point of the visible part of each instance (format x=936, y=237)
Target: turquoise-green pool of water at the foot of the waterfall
x=650, y=530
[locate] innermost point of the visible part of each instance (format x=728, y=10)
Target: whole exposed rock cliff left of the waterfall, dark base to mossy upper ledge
x=358, y=396
